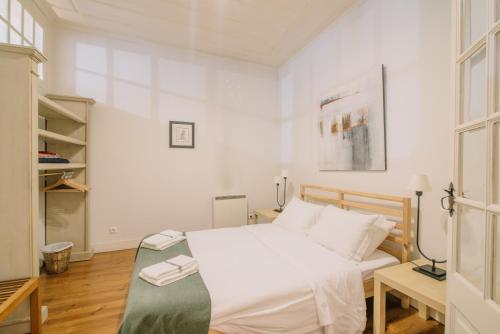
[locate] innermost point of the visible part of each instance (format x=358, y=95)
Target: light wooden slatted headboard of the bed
x=395, y=208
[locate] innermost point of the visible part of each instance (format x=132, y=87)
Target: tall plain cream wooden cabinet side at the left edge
x=19, y=214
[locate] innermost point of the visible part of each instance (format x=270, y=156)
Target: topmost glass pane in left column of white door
x=474, y=21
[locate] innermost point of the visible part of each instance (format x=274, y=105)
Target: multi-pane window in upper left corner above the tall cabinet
x=18, y=27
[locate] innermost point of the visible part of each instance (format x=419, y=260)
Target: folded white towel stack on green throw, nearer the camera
x=170, y=270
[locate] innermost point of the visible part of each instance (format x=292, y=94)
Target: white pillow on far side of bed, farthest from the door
x=298, y=216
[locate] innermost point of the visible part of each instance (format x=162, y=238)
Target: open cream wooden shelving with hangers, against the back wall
x=64, y=130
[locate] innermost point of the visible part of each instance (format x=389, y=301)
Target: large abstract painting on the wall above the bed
x=352, y=125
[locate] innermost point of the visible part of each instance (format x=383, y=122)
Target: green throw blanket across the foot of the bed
x=182, y=307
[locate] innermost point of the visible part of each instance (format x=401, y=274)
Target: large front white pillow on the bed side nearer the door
x=344, y=232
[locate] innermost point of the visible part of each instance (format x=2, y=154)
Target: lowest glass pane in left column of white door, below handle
x=470, y=238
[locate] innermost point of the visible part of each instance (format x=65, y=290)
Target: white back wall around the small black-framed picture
x=138, y=183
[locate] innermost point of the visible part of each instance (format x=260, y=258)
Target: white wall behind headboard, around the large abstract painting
x=411, y=39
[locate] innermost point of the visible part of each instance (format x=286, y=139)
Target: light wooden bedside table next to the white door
x=428, y=292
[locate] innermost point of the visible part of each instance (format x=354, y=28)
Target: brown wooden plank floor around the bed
x=90, y=298
